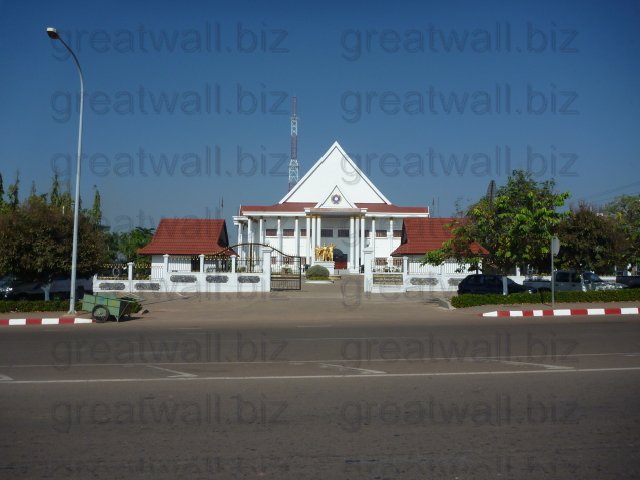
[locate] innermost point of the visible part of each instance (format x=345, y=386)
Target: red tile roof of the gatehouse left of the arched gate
x=188, y=236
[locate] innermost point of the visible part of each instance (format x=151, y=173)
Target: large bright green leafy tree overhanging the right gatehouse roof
x=515, y=227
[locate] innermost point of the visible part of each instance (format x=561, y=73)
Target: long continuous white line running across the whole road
x=322, y=377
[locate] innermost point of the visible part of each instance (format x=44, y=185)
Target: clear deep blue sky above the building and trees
x=187, y=104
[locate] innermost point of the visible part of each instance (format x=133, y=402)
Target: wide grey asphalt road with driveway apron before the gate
x=324, y=385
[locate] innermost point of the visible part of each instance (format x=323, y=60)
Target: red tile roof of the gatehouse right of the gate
x=422, y=235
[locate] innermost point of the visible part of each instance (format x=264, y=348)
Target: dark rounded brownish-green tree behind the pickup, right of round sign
x=590, y=240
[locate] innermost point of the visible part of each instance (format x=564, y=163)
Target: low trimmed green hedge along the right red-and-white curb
x=472, y=300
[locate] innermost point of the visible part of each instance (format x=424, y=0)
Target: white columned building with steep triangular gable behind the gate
x=334, y=203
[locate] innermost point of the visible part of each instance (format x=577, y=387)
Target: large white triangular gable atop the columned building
x=335, y=167
